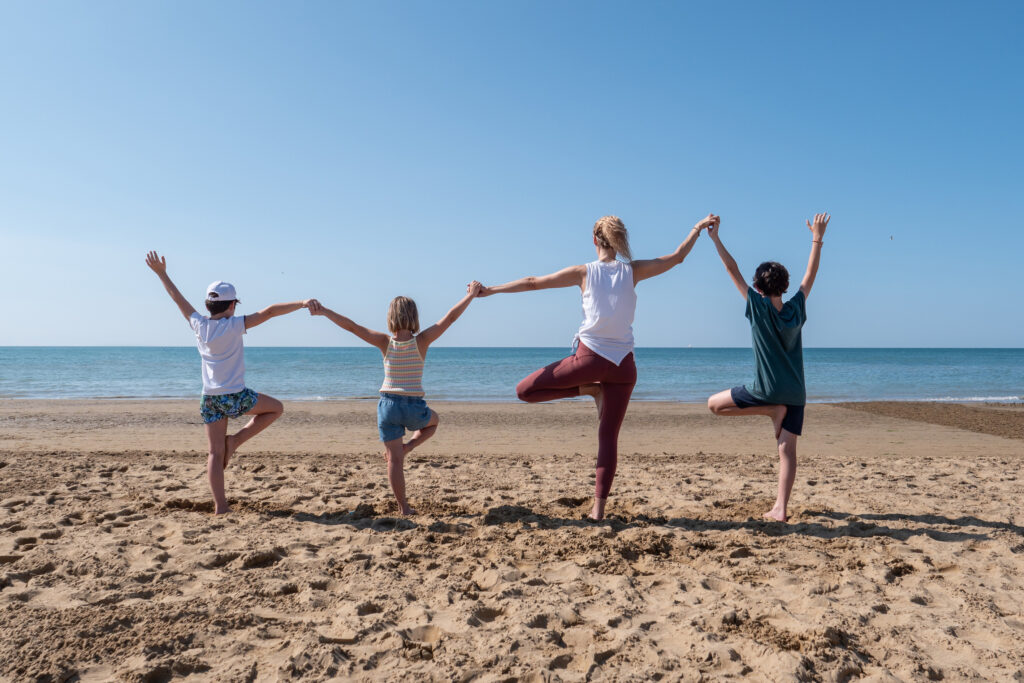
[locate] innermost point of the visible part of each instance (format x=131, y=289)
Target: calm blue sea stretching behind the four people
x=491, y=374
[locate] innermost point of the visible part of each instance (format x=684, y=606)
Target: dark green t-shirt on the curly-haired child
x=779, y=353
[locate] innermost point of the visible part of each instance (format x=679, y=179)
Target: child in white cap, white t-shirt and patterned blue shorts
x=219, y=337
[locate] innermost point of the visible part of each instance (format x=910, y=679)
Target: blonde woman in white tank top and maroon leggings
x=603, y=363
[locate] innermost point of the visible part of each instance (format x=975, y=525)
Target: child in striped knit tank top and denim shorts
x=402, y=405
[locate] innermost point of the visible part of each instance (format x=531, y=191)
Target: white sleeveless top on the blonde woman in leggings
x=609, y=306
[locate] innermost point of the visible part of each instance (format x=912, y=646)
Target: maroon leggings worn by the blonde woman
x=563, y=380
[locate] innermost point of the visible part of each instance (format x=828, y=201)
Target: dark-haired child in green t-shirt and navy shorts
x=779, y=390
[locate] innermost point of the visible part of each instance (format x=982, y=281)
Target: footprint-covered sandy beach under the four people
x=905, y=559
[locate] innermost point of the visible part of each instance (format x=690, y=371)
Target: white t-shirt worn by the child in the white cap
x=220, y=346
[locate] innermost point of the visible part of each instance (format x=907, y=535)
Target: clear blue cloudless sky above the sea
x=357, y=151
